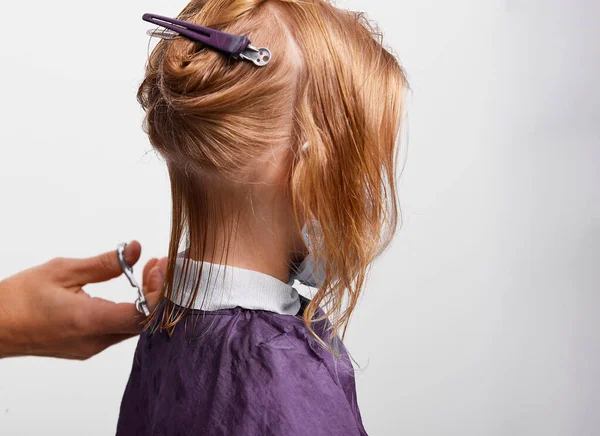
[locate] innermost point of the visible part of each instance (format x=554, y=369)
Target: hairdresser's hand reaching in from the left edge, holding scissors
x=45, y=312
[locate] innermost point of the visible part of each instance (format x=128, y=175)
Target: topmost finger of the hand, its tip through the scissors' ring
x=103, y=267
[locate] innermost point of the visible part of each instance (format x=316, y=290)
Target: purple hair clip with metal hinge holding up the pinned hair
x=237, y=46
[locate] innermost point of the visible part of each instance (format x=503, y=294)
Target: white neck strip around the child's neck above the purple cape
x=227, y=287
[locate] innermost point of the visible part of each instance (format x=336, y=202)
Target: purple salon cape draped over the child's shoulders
x=240, y=371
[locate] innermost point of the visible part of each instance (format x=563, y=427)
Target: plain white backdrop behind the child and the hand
x=481, y=319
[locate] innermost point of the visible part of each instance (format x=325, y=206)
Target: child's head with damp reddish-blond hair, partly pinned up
x=226, y=127
